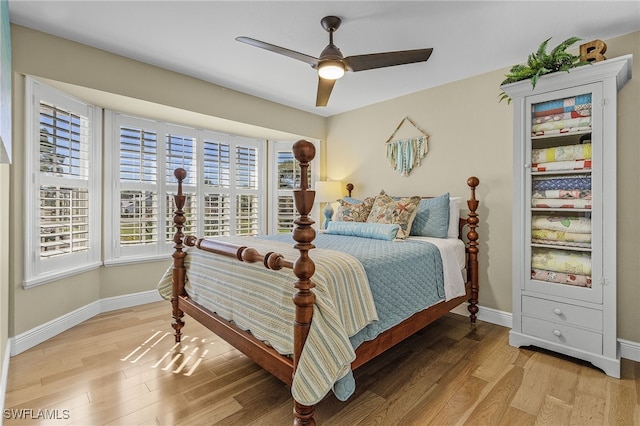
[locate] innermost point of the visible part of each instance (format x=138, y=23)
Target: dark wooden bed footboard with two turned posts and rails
x=303, y=268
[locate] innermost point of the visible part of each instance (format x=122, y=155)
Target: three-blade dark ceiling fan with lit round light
x=331, y=65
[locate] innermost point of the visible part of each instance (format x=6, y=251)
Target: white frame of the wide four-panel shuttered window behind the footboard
x=115, y=253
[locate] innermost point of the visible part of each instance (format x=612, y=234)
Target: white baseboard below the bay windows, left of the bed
x=35, y=336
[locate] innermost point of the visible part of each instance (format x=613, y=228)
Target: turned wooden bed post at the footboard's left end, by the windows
x=178, y=256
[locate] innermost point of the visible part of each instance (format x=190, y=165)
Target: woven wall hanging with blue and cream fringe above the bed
x=405, y=154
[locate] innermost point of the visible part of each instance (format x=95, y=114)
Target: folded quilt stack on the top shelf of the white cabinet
x=562, y=116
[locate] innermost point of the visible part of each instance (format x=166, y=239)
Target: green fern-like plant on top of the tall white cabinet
x=540, y=63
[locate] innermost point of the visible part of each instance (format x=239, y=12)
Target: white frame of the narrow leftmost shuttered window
x=39, y=270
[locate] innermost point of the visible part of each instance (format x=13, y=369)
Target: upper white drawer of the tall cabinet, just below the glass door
x=562, y=313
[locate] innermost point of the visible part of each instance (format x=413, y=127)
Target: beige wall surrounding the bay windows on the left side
x=126, y=85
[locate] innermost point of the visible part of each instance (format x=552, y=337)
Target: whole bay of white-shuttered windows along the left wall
x=66, y=227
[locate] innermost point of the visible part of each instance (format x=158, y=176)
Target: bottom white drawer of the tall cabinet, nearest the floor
x=563, y=334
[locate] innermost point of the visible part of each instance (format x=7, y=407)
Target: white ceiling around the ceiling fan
x=197, y=38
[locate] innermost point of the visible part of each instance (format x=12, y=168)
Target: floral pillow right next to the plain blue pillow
x=401, y=211
